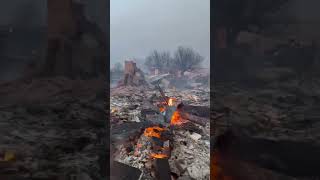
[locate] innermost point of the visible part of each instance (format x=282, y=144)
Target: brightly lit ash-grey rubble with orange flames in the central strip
x=163, y=132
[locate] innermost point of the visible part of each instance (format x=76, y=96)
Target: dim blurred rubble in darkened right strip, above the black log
x=275, y=117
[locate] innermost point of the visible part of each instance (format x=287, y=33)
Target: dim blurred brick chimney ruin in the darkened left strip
x=76, y=46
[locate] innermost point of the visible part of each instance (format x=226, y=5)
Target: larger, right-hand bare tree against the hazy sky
x=186, y=59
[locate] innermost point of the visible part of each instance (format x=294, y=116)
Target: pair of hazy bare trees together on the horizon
x=183, y=59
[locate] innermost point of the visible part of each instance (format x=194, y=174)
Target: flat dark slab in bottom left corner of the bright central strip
x=120, y=171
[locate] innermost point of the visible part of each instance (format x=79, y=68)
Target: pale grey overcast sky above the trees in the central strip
x=140, y=26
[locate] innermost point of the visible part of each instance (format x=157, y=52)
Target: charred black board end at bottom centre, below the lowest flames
x=162, y=169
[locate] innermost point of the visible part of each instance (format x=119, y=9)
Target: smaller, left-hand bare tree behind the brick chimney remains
x=159, y=60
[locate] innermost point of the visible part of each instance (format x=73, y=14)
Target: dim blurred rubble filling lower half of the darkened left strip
x=53, y=129
